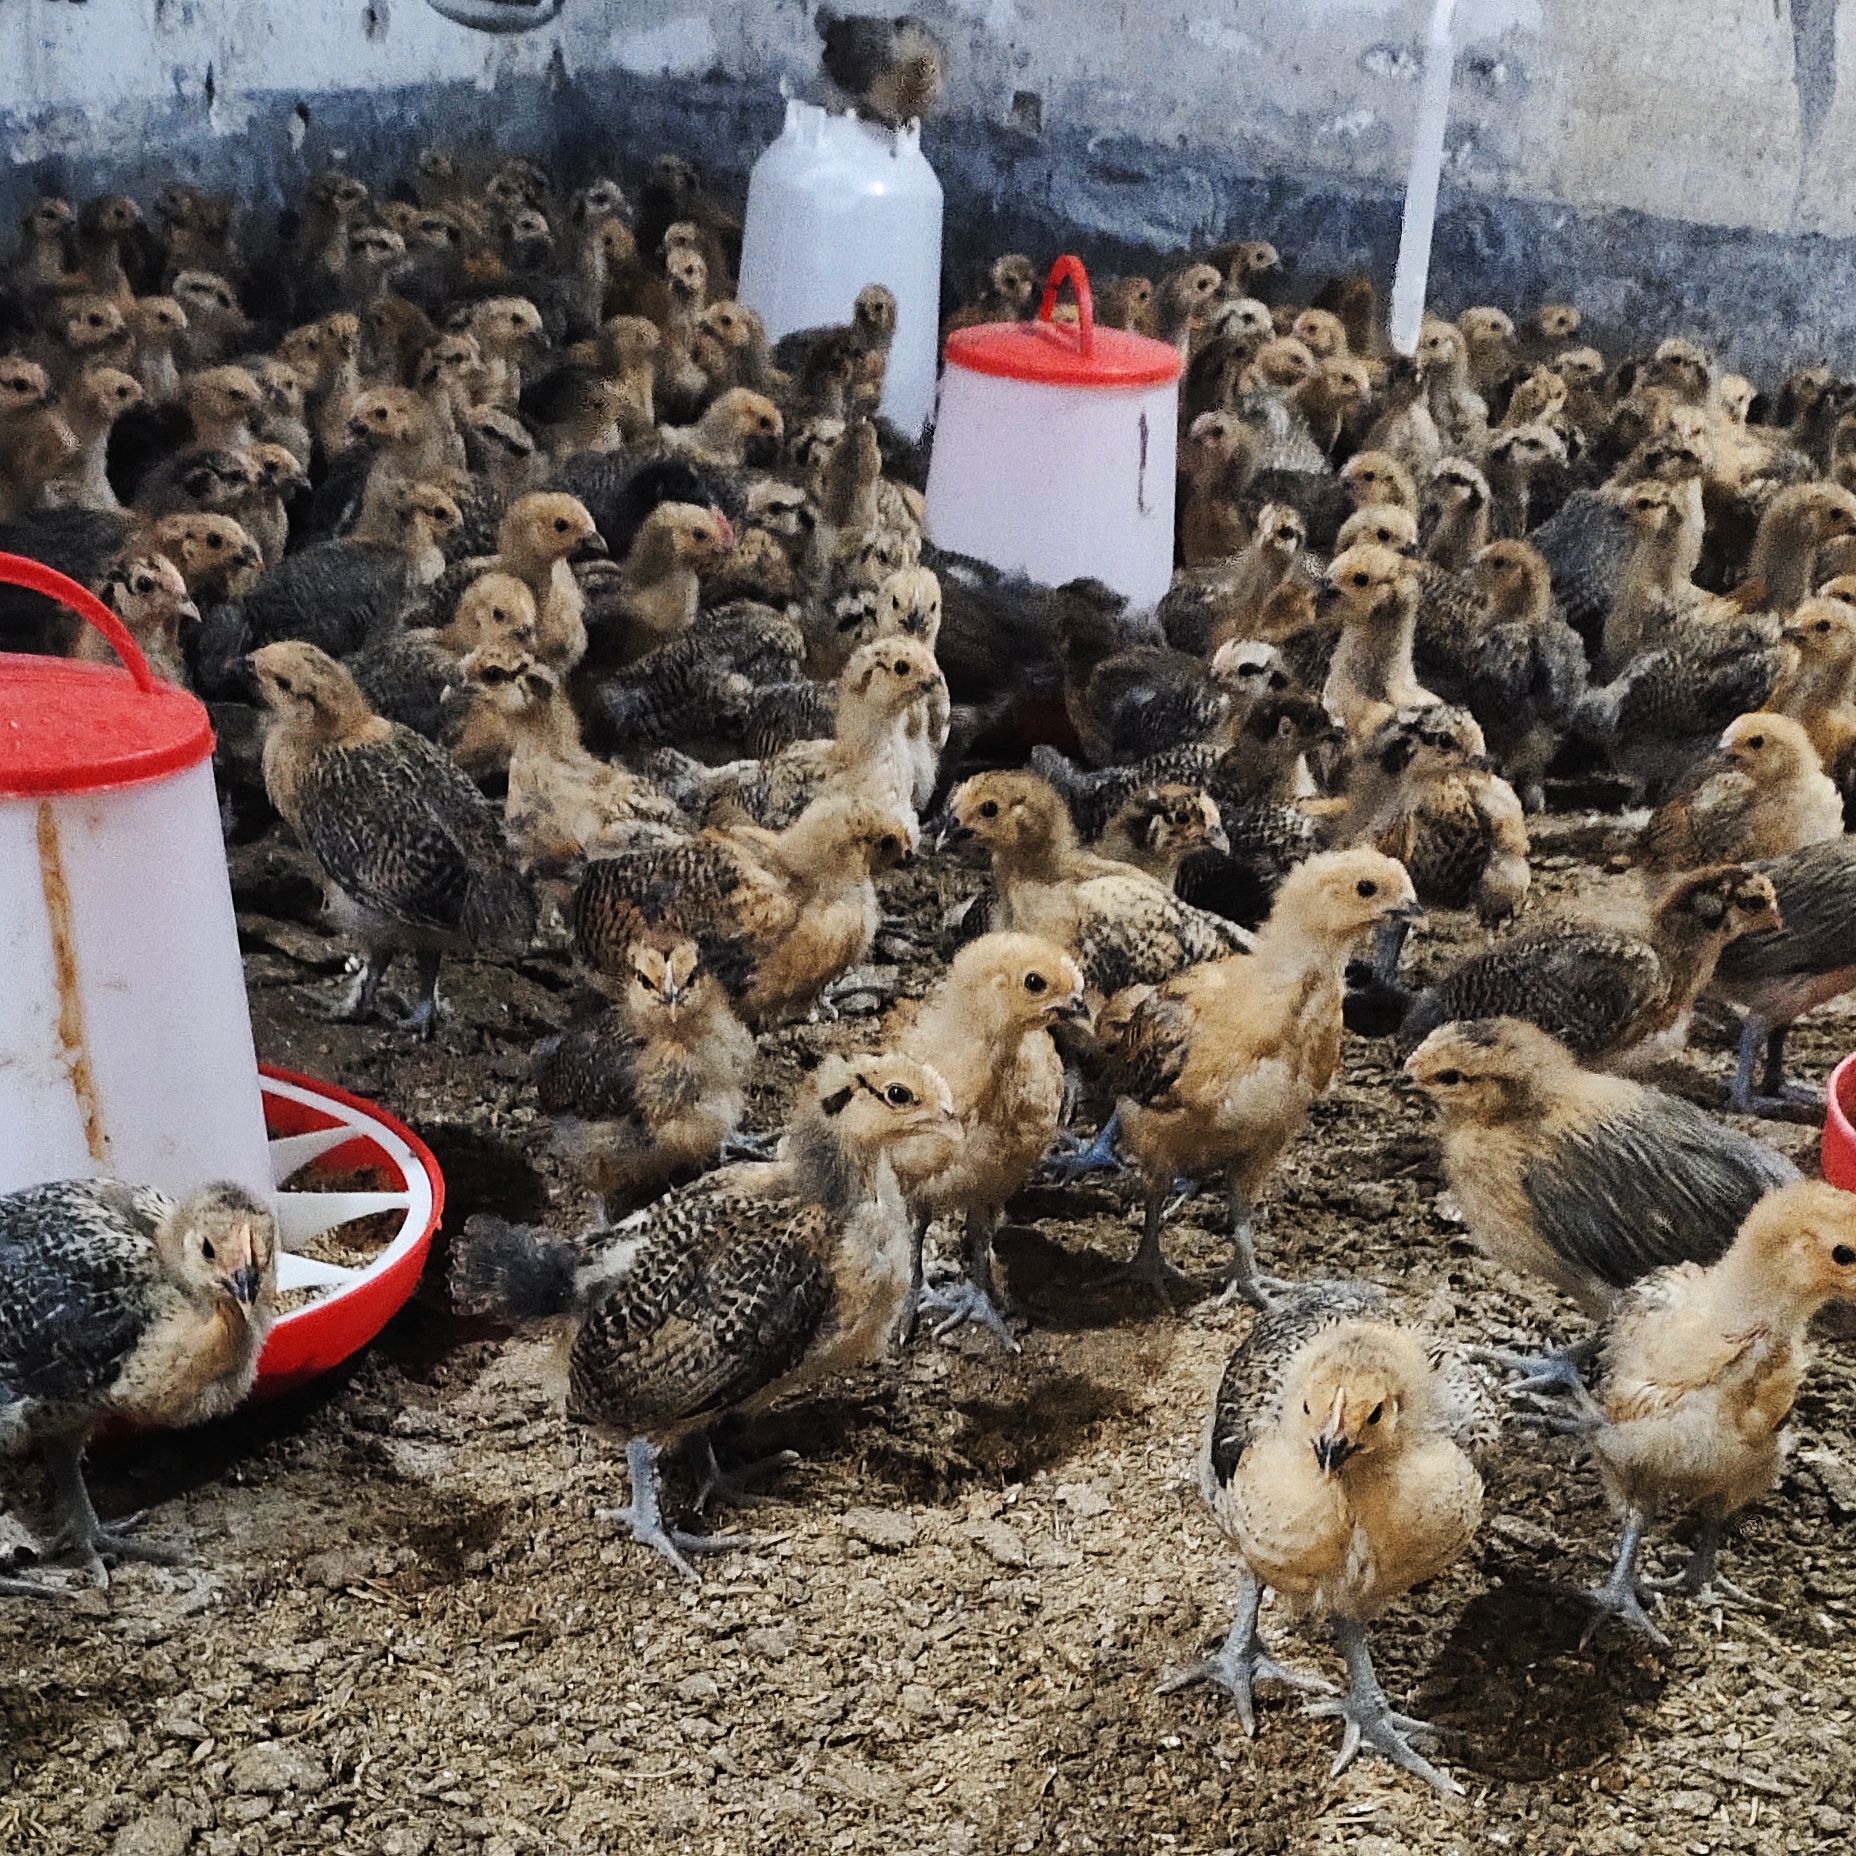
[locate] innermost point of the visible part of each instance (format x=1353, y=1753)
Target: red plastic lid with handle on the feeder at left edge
x=79, y=728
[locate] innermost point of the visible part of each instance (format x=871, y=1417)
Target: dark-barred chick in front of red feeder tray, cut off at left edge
x=118, y=1302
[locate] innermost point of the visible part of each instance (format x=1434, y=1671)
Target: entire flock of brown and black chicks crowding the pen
x=550, y=606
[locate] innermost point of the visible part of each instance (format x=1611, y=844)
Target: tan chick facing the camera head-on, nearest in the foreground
x=1343, y=1465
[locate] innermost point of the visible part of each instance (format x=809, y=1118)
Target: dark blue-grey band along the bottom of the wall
x=1773, y=298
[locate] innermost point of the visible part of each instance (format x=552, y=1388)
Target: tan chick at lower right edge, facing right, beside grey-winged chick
x=1701, y=1369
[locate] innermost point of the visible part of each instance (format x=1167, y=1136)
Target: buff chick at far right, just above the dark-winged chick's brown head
x=1762, y=795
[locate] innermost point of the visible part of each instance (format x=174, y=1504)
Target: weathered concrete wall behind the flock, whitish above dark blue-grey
x=1686, y=161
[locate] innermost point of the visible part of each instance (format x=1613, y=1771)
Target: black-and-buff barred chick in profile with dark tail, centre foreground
x=738, y=1291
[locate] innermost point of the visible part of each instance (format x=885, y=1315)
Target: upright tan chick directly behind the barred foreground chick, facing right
x=986, y=1029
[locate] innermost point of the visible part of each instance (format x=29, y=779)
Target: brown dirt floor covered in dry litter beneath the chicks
x=407, y=1636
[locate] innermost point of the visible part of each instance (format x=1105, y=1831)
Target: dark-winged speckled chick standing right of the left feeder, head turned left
x=411, y=853
